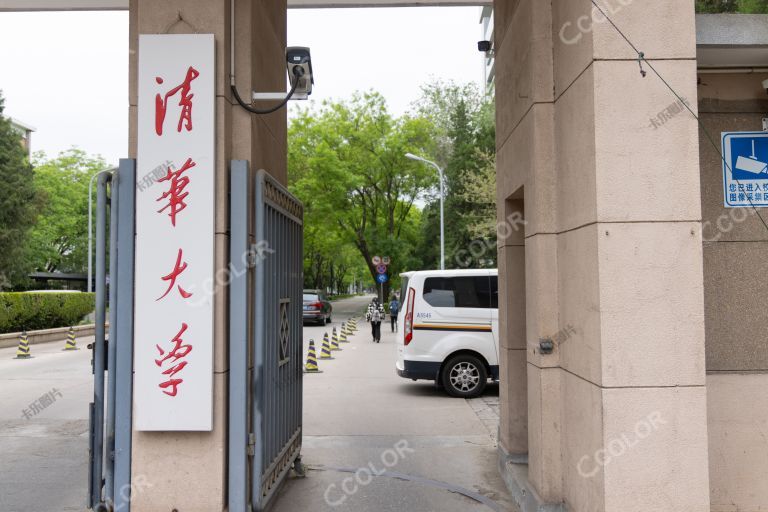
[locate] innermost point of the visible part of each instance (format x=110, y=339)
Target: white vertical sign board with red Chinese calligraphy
x=173, y=331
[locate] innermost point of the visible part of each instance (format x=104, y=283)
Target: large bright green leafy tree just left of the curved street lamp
x=347, y=163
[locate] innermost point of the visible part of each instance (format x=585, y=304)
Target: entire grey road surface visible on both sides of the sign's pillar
x=358, y=414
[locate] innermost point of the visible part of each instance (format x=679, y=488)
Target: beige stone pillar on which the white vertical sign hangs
x=187, y=471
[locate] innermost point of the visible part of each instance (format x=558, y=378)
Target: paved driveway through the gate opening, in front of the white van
x=376, y=442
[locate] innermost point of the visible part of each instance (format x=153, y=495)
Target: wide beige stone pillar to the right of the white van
x=617, y=413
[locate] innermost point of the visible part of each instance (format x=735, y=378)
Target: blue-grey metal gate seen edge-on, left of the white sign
x=109, y=477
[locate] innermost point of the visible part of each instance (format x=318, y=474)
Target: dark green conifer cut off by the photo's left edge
x=17, y=198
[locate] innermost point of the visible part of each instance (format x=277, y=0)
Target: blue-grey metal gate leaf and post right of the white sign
x=265, y=378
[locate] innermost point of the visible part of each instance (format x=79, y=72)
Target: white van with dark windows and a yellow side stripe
x=449, y=329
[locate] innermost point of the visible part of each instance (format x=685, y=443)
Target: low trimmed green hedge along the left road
x=31, y=311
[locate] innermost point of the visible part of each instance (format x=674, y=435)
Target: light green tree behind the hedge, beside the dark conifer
x=59, y=239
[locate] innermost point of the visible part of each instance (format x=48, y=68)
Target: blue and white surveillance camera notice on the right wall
x=745, y=169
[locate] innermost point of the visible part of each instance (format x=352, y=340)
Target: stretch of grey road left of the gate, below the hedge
x=44, y=428
